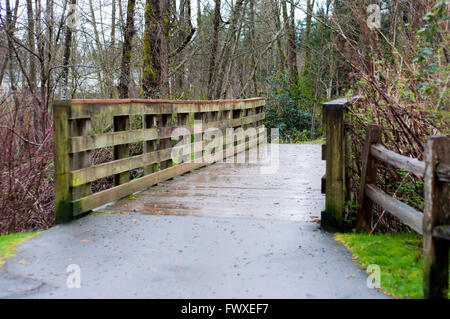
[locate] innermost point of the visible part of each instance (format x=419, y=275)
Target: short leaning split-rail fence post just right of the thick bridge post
x=368, y=175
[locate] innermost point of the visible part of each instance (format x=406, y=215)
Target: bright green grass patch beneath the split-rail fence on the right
x=399, y=256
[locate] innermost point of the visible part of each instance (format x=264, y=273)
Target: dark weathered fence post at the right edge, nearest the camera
x=436, y=213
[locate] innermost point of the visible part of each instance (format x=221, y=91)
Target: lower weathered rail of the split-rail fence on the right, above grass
x=408, y=215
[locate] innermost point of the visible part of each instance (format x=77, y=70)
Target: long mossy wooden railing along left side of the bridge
x=74, y=141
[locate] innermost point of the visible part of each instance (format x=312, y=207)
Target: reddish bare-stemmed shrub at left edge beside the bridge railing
x=26, y=168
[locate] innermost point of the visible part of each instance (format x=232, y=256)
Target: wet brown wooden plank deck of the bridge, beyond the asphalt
x=239, y=190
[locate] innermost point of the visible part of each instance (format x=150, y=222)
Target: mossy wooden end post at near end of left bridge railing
x=63, y=207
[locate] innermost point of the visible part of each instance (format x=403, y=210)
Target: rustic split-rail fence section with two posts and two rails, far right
x=434, y=223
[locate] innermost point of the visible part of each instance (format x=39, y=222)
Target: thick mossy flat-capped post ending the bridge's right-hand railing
x=333, y=117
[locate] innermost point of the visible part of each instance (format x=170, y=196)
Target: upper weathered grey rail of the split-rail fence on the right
x=406, y=163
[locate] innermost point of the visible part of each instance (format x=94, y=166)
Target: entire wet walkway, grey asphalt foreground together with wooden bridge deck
x=219, y=232
